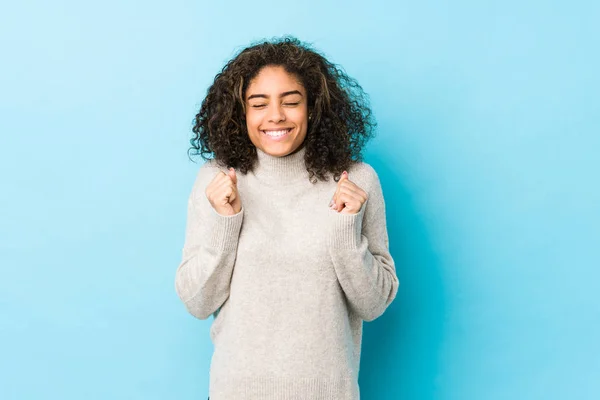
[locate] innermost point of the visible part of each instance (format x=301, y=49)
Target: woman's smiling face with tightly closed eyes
x=276, y=111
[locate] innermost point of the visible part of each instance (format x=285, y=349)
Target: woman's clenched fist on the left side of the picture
x=222, y=193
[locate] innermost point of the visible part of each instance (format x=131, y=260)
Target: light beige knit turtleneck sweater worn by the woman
x=288, y=280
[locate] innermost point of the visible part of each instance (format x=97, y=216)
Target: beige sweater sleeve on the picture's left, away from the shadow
x=203, y=277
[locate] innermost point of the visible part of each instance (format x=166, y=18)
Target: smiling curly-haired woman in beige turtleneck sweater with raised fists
x=288, y=247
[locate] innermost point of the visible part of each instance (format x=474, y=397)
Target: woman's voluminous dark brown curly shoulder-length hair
x=341, y=119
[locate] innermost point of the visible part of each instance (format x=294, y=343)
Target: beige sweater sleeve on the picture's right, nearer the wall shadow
x=359, y=249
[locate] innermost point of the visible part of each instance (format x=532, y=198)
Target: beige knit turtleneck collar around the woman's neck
x=284, y=170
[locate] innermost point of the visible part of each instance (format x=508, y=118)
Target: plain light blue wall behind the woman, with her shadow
x=487, y=148
